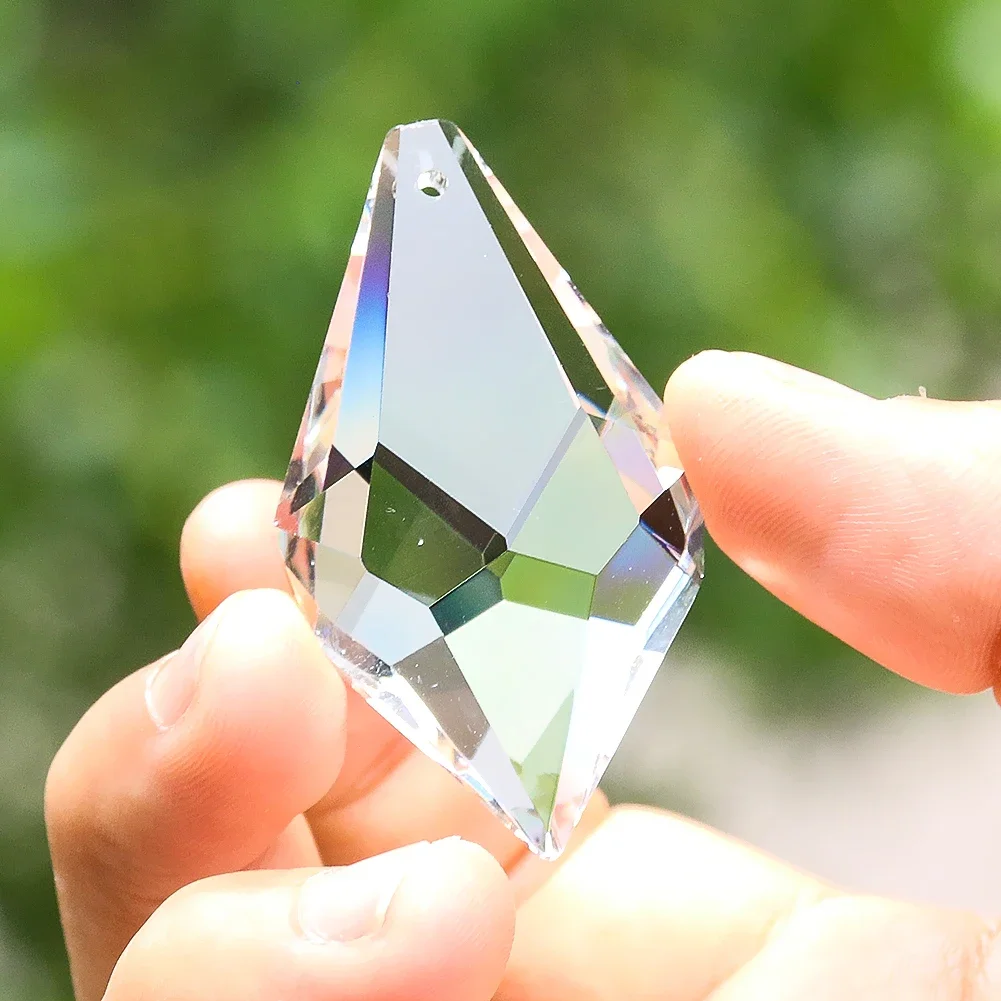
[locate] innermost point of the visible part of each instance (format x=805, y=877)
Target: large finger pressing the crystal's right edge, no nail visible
x=876, y=519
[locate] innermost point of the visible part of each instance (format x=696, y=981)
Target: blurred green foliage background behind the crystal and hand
x=180, y=183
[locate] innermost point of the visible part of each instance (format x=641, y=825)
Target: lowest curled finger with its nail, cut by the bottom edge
x=422, y=922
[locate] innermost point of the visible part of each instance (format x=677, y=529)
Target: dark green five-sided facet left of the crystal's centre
x=409, y=546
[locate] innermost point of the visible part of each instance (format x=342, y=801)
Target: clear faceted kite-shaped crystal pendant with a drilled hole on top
x=482, y=519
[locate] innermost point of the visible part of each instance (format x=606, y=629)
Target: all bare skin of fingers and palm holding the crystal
x=231, y=824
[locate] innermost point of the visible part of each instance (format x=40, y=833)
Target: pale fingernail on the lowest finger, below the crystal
x=350, y=902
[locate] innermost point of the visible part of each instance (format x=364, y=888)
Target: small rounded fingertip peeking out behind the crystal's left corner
x=230, y=544
